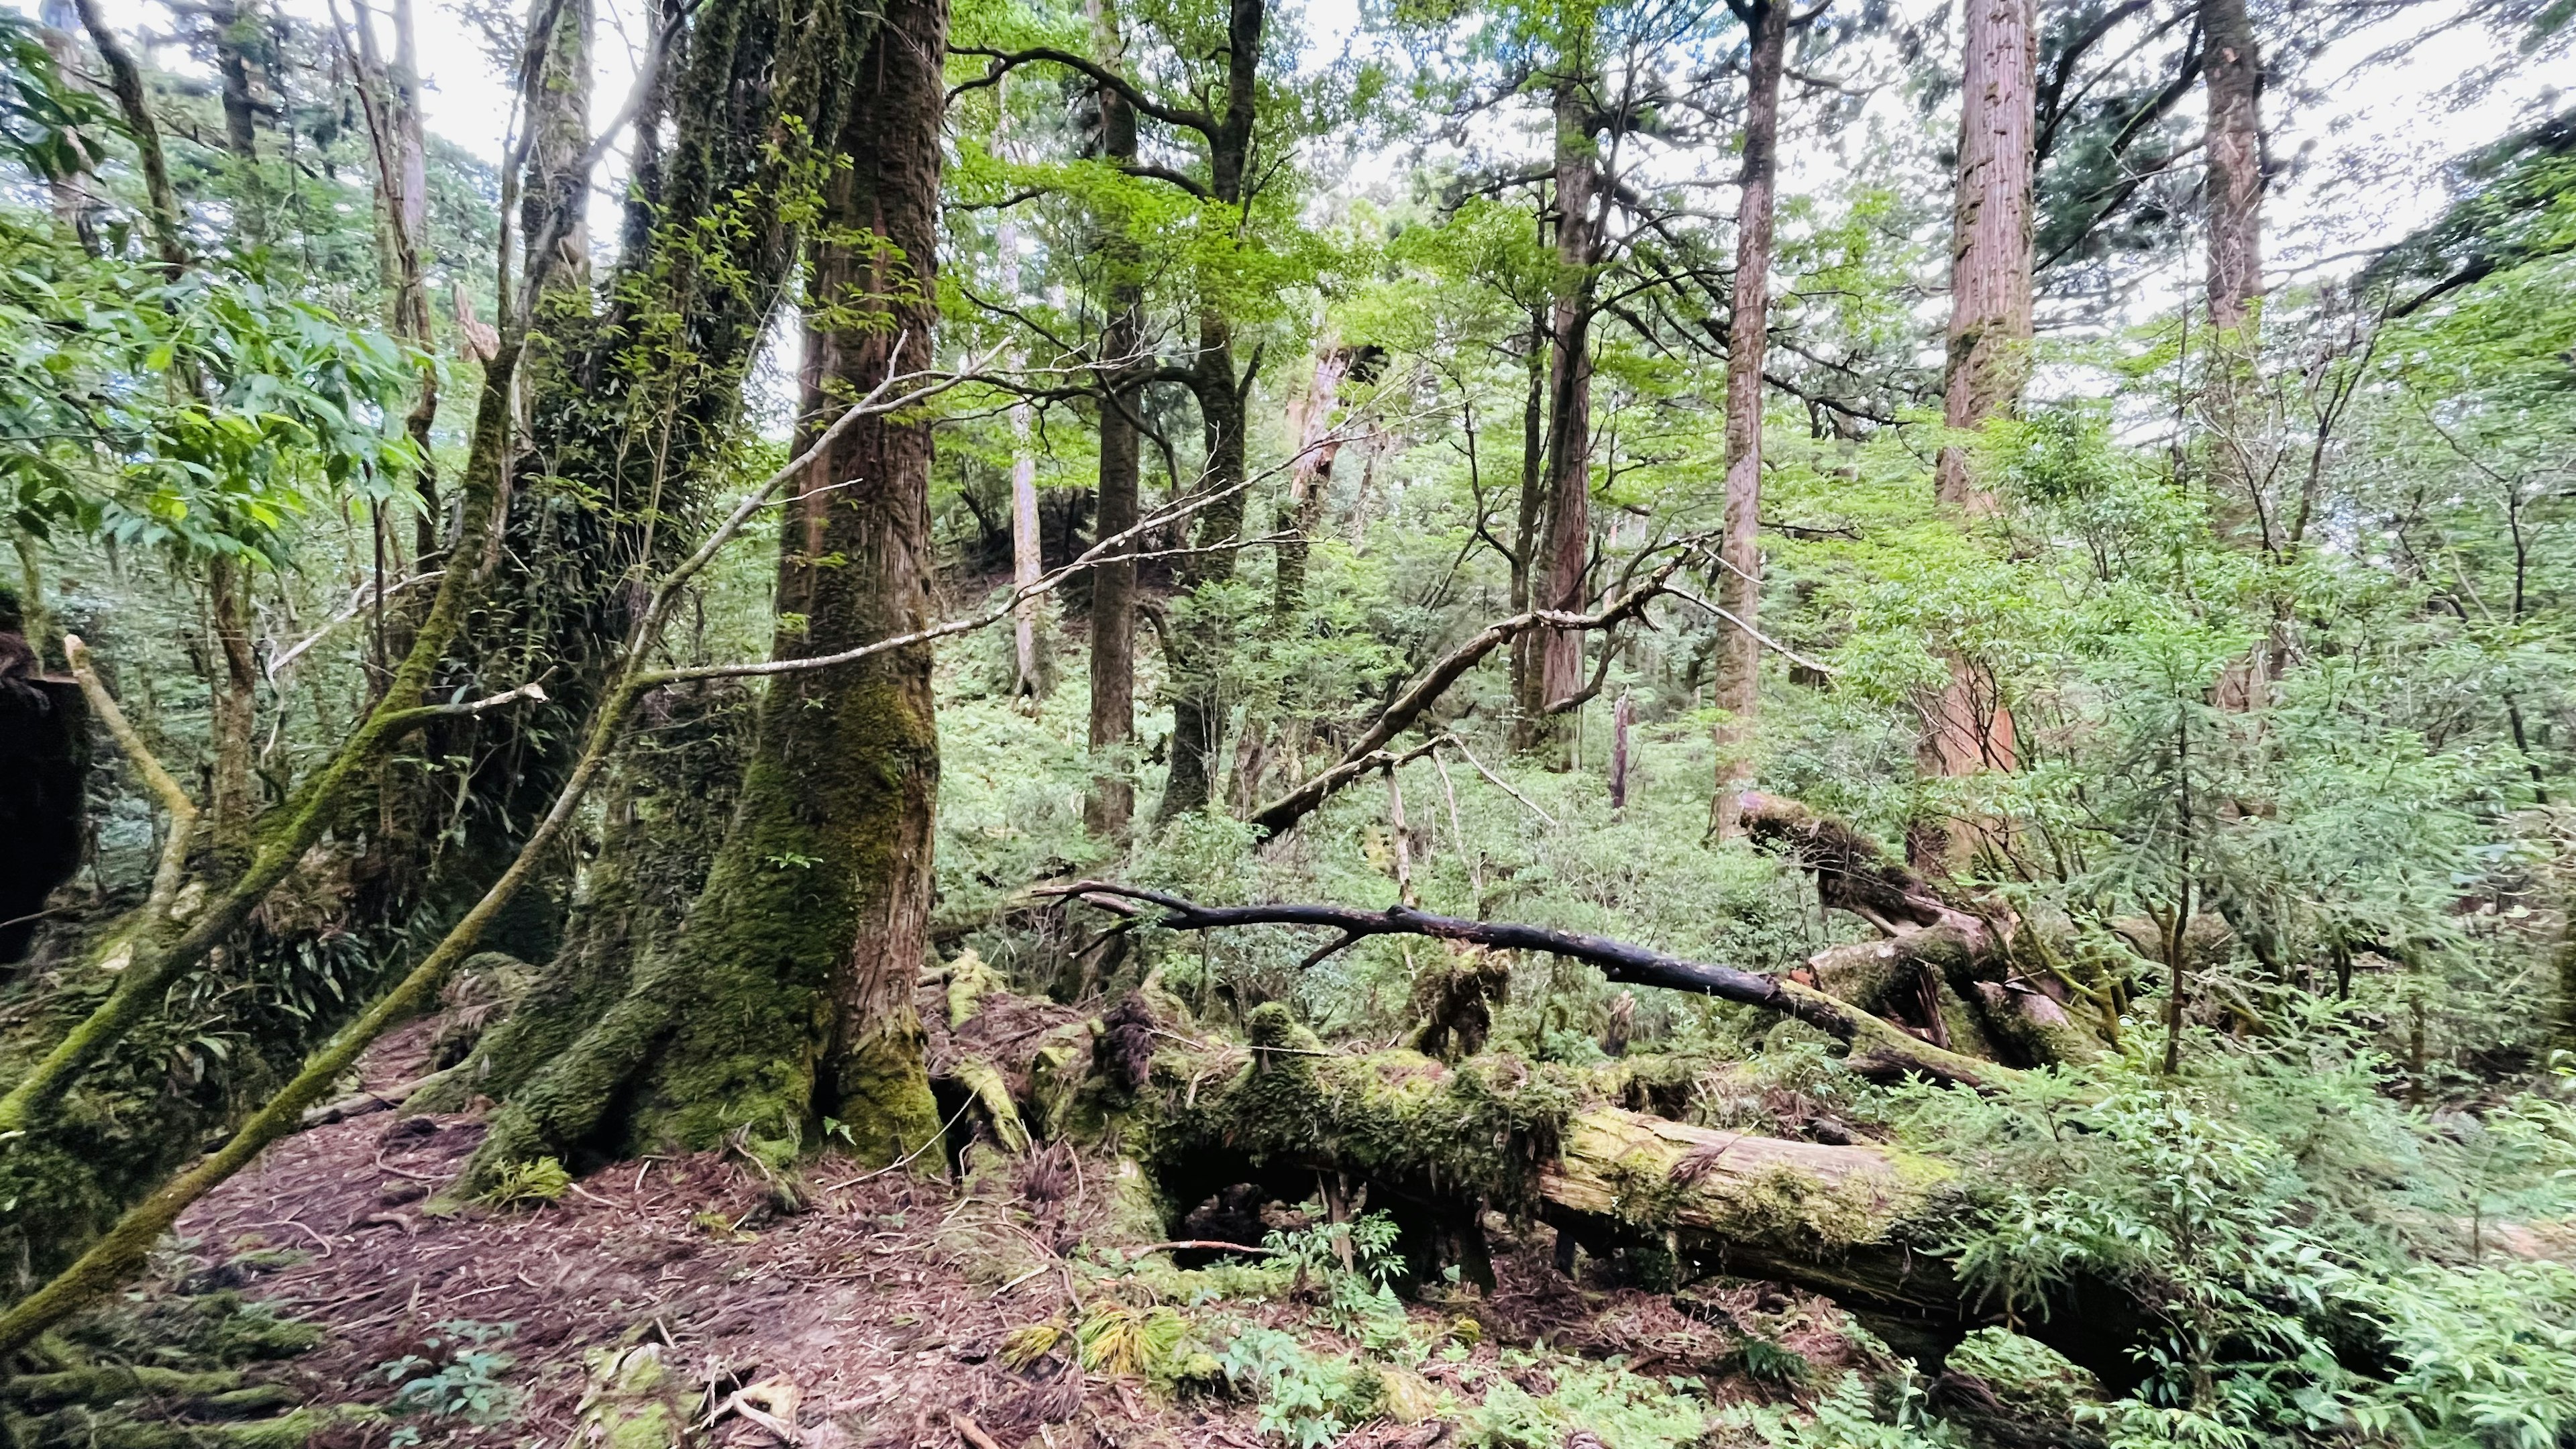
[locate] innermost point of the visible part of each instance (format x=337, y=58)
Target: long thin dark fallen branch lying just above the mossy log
x=1879, y=1048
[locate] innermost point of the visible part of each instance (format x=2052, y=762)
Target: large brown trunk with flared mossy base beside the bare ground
x=787, y=999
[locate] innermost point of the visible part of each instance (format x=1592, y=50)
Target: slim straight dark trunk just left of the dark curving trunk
x=1112, y=801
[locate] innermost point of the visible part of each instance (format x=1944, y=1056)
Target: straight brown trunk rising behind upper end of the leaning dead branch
x=1567, y=553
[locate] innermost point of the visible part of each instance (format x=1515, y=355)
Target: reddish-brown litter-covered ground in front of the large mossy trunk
x=867, y=1319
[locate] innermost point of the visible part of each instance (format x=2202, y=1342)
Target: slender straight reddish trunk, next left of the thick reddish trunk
x=1740, y=553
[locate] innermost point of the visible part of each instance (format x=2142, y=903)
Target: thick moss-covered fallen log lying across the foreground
x=1441, y=1146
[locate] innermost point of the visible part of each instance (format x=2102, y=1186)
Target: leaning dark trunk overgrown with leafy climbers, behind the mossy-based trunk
x=638, y=409
